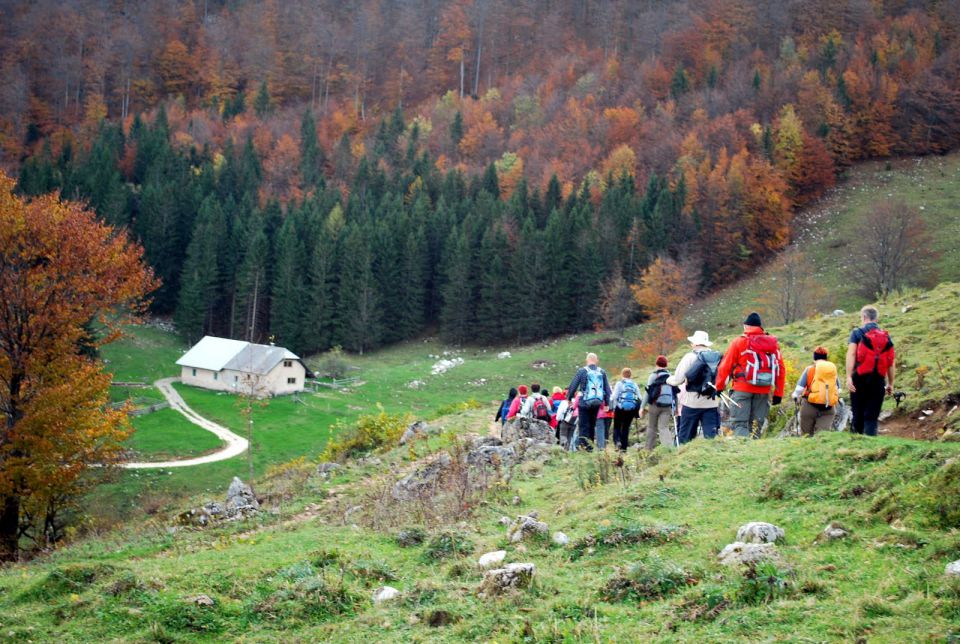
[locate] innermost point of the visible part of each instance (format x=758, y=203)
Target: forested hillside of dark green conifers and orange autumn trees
x=324, y=173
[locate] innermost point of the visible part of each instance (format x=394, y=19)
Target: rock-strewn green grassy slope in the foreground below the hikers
x=885, y=583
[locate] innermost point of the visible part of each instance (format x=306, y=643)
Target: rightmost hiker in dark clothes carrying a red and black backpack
x=870, y=371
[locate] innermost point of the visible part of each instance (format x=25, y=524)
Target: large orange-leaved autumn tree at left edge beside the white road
x=61, y=269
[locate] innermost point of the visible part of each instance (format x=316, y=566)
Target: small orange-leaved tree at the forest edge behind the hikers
x=663, y=292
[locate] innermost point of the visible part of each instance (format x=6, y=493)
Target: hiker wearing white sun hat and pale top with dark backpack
x=697, y=373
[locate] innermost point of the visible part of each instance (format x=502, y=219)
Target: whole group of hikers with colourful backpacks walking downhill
x=681, y=404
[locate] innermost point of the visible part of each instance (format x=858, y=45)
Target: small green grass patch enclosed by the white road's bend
x=167, y=434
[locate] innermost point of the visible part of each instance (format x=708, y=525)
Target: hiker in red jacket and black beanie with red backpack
x=755, y=367
